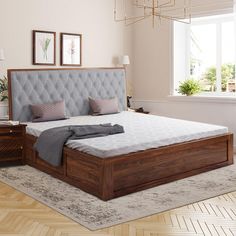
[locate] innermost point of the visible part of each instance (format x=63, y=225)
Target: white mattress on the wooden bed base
x=142, y=132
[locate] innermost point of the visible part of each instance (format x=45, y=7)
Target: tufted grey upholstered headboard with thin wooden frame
x=72, y=85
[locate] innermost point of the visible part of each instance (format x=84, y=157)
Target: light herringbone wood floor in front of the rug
x=22, y=215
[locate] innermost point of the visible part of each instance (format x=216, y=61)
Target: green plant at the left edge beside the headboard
x=3, y=97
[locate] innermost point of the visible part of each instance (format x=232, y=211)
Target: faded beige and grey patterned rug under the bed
x=95, y=214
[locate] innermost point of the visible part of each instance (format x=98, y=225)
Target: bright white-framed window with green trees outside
x=206, y=51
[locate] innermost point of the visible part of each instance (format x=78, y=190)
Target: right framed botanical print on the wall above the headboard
x=71, y=49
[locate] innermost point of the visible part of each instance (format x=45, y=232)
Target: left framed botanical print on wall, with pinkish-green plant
x=44, y=44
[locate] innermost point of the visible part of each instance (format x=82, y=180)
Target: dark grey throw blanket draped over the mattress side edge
x=50, y=143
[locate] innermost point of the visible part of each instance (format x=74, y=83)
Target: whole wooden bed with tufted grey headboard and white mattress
x=105, y=167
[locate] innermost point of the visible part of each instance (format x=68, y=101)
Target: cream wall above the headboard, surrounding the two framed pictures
x=103, y=39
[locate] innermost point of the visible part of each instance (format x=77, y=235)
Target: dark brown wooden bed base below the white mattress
x=117, y=176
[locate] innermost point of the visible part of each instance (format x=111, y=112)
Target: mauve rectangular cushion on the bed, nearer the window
x=103, y=106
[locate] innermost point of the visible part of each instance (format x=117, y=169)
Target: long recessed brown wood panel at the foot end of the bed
x=166, y=163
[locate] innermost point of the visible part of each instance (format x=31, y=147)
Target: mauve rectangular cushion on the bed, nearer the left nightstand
x=48, y=111
